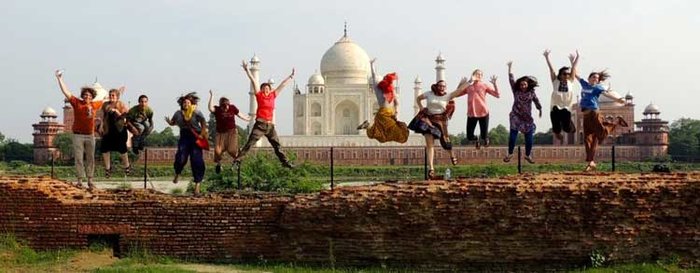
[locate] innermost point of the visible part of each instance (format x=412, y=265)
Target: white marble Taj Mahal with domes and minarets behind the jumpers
x=337, y=99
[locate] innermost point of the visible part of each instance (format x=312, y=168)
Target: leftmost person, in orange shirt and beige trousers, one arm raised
x=84, y=112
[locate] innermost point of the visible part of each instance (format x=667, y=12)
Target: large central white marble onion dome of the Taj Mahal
x=345, y=63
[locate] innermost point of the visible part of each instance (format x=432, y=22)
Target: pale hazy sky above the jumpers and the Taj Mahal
x=166, y=48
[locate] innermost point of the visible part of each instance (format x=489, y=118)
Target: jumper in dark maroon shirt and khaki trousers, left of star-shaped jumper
x=226, y=137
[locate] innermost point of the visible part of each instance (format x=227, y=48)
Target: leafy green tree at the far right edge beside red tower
x=684, y=139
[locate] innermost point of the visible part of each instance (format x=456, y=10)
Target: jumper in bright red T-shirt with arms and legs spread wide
x=264, y=125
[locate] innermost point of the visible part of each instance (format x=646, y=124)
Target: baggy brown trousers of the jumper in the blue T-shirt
x=595, y=130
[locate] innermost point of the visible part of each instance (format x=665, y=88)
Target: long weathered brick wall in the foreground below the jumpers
x=549, y=220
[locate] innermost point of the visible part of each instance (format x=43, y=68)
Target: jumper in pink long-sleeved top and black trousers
x=477, y=111
